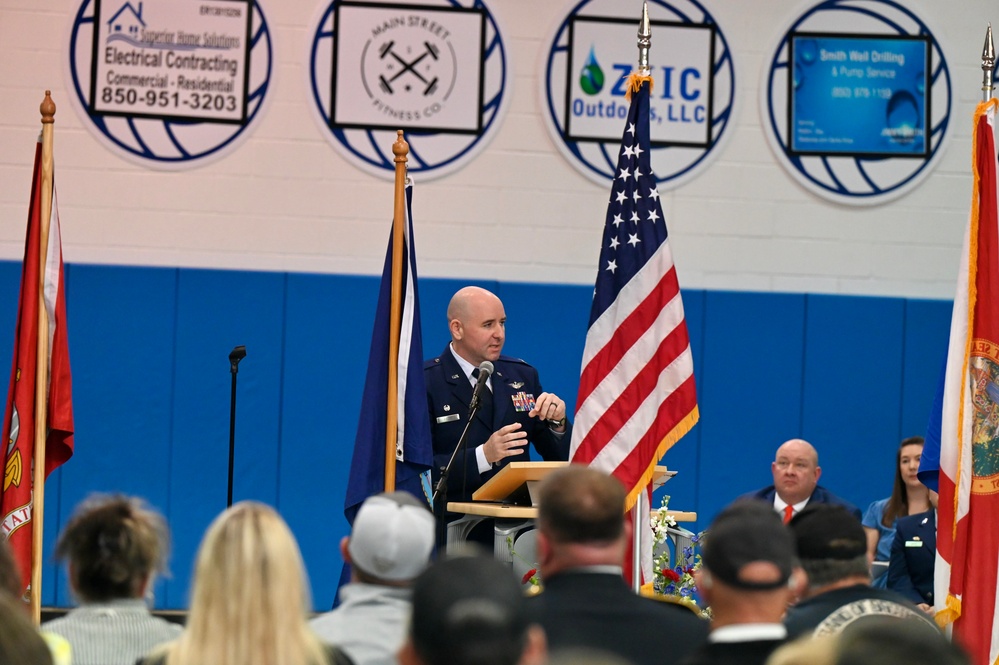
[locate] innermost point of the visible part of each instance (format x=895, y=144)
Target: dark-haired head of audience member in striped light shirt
x=113, y=546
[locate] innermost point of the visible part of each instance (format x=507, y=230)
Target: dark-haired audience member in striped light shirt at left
x=113, y=547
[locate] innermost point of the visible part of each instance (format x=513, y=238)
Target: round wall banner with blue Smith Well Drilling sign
x=856, y=100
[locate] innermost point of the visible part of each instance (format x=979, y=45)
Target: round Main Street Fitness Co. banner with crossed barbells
x=438, y=72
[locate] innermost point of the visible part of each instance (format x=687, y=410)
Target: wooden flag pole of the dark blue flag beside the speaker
x=400, y=149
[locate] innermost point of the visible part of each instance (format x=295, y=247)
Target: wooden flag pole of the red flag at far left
x=47, y=109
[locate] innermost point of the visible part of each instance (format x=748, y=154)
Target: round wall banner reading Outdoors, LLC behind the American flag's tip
x=592, y=52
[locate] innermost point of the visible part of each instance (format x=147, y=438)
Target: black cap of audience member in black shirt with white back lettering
x=828, y=531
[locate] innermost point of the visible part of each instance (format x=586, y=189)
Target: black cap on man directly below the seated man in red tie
x=744, y=533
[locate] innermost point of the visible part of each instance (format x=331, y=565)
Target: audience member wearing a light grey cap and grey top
x=390, y=543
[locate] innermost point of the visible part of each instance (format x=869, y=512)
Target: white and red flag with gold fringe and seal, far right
x=963, y=436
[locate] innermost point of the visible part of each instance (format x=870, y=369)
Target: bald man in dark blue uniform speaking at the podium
x=514, y=412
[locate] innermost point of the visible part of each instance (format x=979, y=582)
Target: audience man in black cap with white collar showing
x=748, y=576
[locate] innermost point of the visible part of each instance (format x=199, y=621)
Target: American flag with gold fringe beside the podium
x=636, y=390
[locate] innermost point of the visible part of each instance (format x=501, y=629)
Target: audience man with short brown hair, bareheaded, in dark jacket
x=582, y=539
